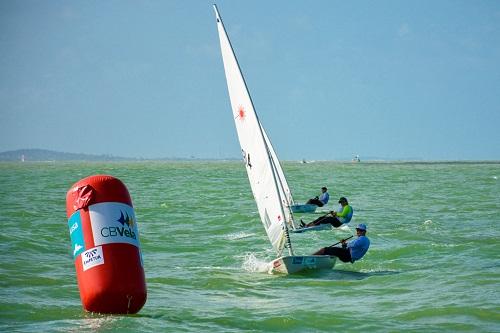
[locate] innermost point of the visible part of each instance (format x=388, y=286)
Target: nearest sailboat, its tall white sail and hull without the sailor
x=270, y=191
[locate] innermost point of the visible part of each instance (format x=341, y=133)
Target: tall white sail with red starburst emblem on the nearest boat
x=256, y=151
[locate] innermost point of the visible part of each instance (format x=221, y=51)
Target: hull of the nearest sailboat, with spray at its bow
x=295, y=264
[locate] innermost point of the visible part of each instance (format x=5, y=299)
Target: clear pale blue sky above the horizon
x=329, y=79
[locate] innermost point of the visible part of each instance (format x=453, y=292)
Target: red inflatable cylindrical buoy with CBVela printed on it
x=105, y=246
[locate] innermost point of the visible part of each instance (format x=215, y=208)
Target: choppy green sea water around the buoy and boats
x=433, y=264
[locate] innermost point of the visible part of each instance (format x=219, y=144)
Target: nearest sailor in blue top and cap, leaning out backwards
x=352, y=251
